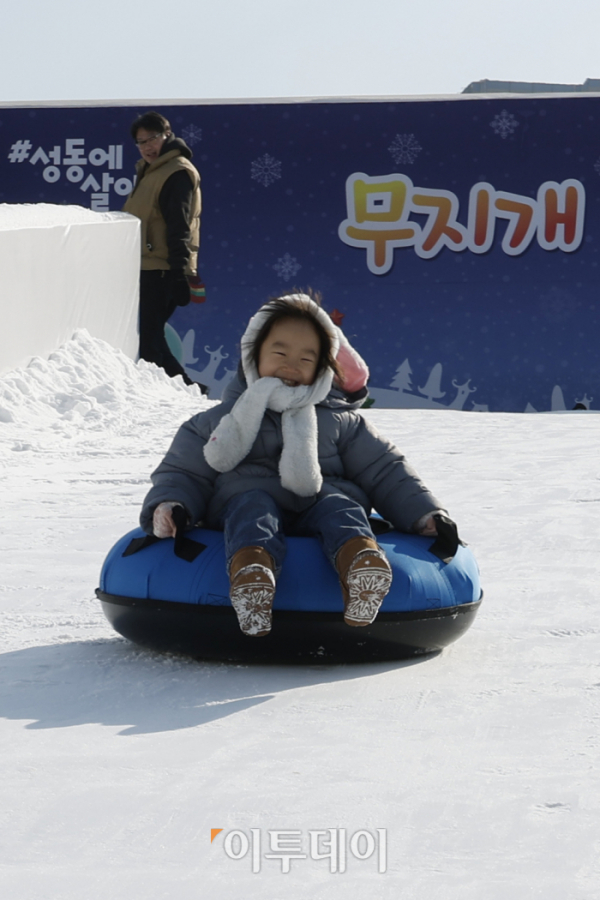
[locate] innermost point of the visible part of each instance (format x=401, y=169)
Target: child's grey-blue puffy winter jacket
x=354, y=459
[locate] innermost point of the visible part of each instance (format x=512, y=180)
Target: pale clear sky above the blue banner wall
x=126, y=49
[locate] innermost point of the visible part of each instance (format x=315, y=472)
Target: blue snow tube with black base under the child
x=169, y=603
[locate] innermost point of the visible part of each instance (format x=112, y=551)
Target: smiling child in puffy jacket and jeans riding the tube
x=290, y=455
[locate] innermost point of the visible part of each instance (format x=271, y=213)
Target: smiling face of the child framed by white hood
x=290, y=352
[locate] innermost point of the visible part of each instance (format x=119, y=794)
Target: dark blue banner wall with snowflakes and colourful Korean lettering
x=456, y=239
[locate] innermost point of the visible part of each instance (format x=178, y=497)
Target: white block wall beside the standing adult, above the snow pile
x=66, y=267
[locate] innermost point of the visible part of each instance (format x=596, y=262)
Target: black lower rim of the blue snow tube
x=212, y=632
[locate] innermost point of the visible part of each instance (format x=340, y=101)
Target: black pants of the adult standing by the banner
x=155, y=311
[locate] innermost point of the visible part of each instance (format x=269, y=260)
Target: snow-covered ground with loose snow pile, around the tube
x=481, y=763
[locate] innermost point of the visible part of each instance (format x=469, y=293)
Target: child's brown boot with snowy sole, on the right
x=365, y=577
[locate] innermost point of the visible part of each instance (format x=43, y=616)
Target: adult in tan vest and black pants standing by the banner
x=167, y=199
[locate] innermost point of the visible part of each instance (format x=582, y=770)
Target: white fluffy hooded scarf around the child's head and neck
x=232, y=439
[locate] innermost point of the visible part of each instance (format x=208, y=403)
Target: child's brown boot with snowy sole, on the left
x=252, y=589
